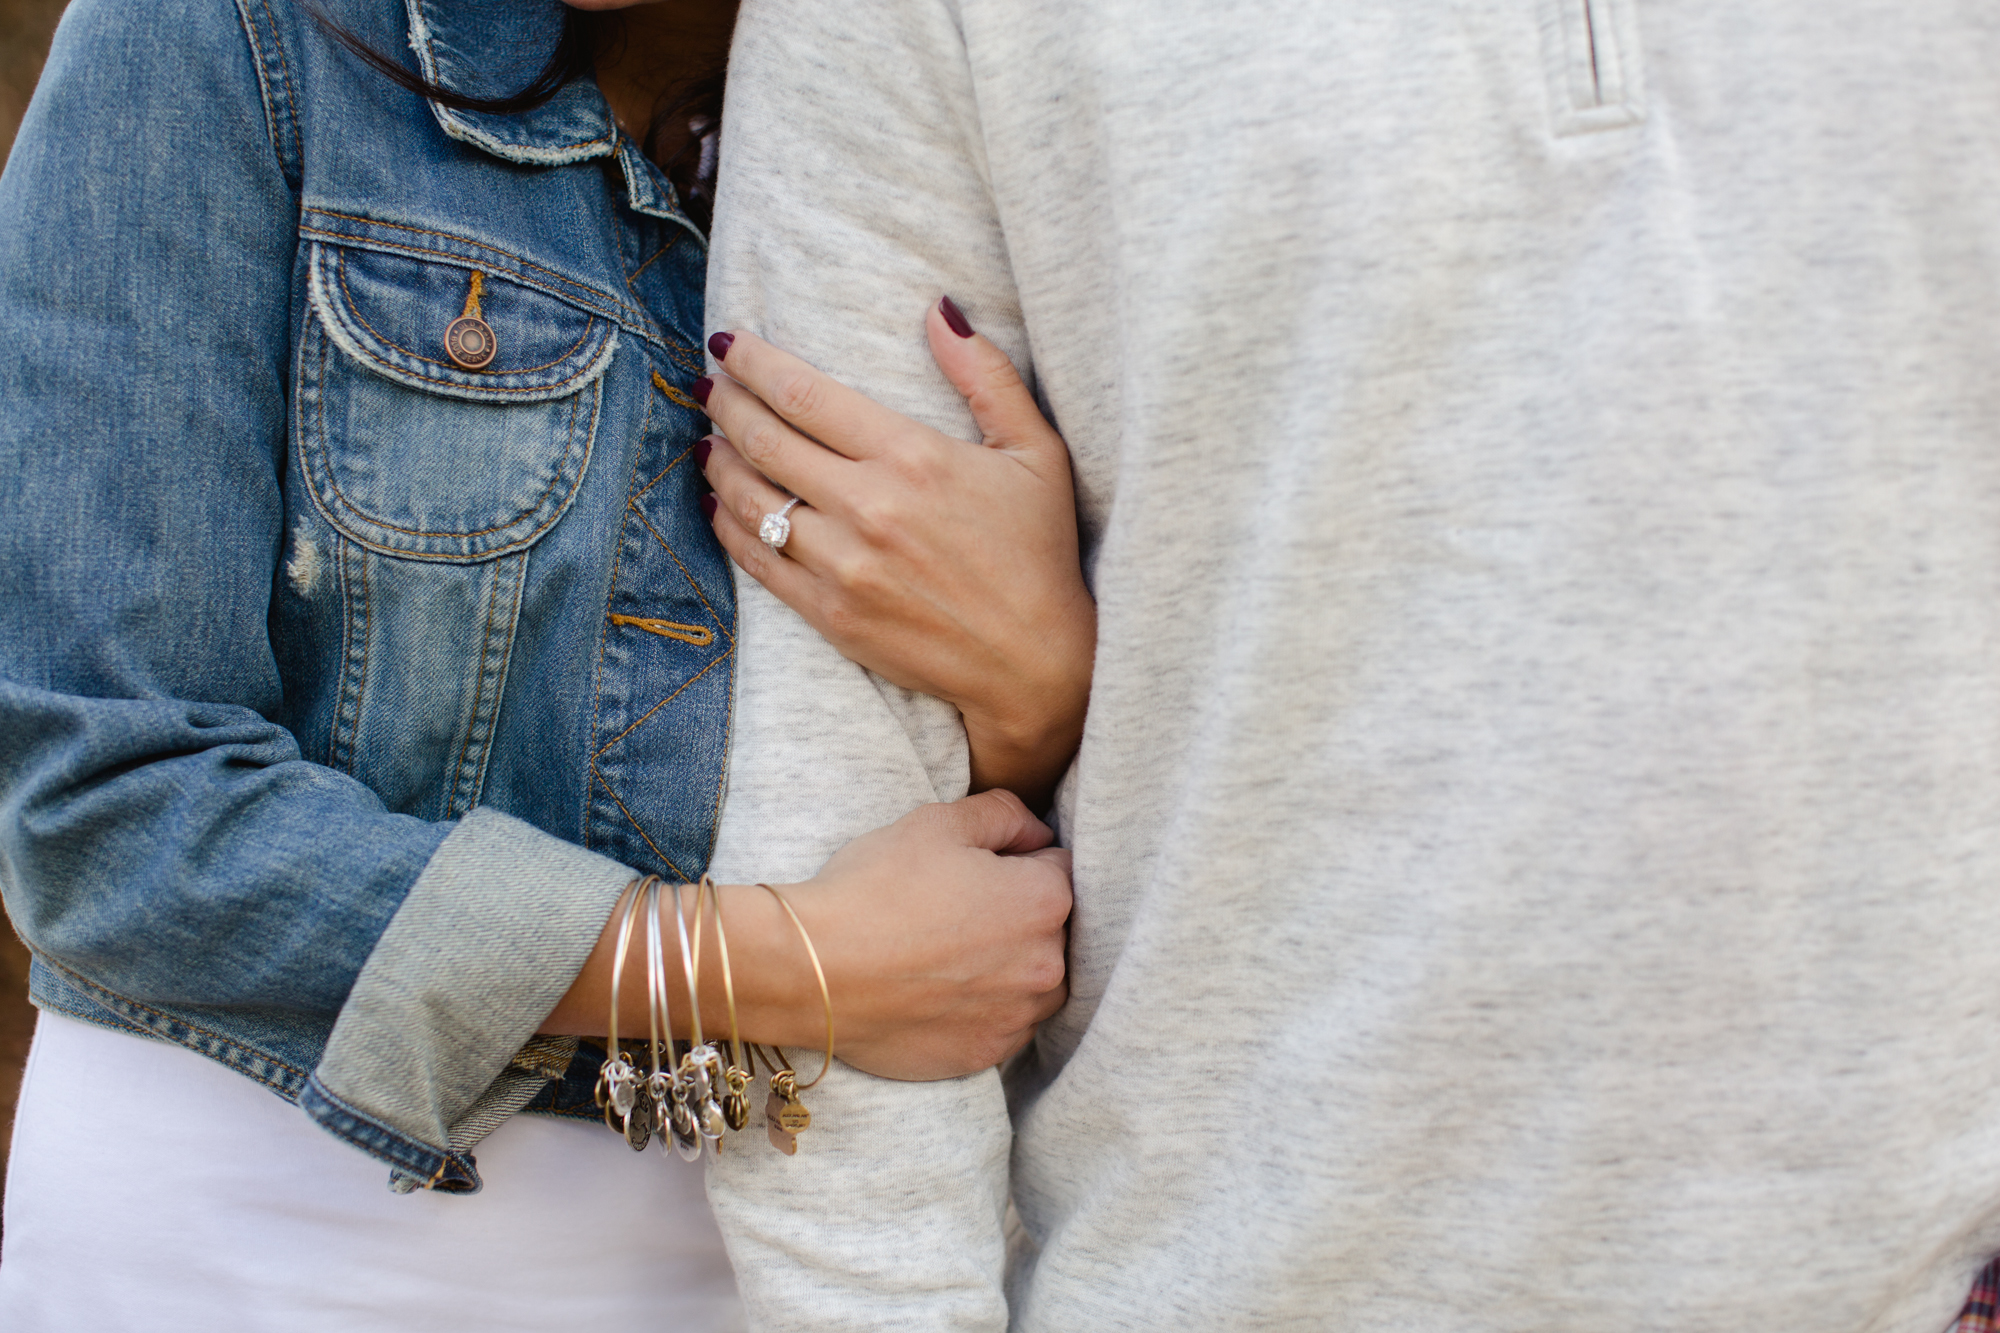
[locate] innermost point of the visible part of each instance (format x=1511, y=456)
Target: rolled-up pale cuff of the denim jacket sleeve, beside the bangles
x=421, y=1064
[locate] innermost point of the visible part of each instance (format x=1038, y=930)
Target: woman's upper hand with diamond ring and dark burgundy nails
x=943, y=565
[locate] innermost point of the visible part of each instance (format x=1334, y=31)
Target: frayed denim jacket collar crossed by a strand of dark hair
x=493, y=49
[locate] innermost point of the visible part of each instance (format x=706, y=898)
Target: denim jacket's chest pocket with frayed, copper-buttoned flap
x=443, y=413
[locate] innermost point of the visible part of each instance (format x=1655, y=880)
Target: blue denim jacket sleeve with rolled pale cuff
x=165, y=850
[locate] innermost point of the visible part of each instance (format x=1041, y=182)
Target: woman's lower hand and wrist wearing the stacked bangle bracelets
x=941, y=938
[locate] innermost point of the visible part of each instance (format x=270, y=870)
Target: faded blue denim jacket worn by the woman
x=347, y=676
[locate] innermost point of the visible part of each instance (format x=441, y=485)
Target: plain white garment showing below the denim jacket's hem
x=151, y=1188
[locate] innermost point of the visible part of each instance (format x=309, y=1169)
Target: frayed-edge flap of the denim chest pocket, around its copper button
x=393, y=315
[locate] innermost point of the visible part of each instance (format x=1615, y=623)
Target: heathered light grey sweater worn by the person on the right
x=1539, y=826
